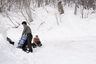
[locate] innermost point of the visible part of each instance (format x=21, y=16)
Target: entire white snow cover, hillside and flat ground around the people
x=73, y=41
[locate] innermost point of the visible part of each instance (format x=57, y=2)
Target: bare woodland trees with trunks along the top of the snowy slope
x=29, y=5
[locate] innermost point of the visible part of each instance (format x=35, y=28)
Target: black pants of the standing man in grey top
x=28, y=42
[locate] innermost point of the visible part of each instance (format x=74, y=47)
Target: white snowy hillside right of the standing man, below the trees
x=70, y=27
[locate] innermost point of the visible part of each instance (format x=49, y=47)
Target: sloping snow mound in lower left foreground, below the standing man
x=9, y=54
